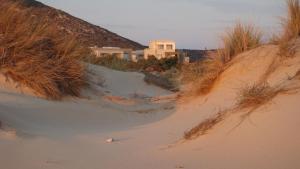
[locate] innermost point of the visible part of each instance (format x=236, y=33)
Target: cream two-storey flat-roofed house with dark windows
x=160, y=49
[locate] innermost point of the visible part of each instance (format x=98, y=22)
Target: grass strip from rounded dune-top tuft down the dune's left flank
x=205, y=73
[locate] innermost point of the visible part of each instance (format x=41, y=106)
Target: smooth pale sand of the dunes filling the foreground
x=71, y=134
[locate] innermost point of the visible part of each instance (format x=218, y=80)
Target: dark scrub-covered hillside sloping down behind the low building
x=87, y=33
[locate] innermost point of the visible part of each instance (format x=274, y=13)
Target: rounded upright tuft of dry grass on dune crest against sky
x=240, y=39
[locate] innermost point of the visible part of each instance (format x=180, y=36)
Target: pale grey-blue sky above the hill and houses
x=193, y=24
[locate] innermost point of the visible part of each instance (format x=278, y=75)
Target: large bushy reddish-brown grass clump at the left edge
x=35, y=55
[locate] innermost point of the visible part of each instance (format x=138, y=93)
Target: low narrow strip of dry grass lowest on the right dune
x=202, y=128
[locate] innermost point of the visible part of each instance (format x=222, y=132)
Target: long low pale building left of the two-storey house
x=113, y=51
